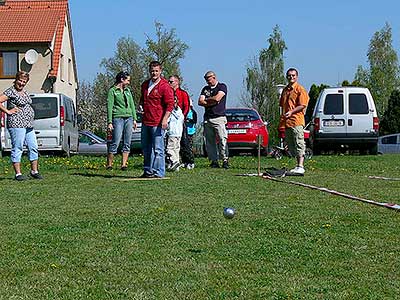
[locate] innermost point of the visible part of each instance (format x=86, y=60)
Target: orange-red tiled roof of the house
x=24, y=21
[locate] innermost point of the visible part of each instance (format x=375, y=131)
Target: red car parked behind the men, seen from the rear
x=244, y=125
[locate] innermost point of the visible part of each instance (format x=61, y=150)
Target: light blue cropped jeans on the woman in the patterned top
x=19, y=136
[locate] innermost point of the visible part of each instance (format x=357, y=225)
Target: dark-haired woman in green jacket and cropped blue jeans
x=121, y=118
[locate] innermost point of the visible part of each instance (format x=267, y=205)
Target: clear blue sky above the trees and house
x=325, y=40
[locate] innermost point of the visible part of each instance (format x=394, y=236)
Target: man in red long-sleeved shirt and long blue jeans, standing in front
x=157, y=101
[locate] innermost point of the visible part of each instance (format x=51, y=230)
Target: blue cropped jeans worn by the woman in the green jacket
x=122, y=128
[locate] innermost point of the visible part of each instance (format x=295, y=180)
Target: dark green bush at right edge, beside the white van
x=390, y=122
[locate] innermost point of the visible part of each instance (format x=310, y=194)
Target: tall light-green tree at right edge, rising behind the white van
x=383, y=74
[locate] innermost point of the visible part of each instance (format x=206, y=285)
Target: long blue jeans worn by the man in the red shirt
x=153, y=150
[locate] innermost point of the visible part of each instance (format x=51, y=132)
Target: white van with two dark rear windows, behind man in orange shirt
x=345, y=117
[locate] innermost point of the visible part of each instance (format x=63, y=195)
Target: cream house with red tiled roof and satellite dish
x=36, y=36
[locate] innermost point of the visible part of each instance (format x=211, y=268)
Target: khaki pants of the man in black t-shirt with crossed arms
x=215, y=129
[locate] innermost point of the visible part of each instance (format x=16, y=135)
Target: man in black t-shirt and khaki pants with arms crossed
x=213, y=98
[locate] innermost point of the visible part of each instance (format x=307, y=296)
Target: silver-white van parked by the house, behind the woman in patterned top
x=55, y=124
